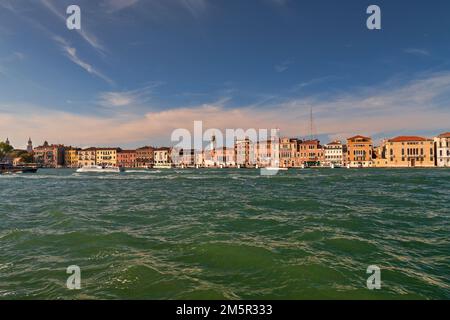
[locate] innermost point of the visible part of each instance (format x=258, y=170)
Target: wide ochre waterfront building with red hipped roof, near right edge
x=410, y=151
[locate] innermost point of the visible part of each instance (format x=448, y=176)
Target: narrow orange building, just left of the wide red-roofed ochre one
x=359, y=151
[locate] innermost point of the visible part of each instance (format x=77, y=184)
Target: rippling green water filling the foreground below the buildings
x=226, y=234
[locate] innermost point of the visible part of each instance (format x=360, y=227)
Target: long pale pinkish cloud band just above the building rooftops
x=412, y=106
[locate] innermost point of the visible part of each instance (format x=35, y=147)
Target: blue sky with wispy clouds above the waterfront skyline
x=138, y=69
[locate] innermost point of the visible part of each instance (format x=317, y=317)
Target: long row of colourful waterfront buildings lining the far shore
x=357, y=151
